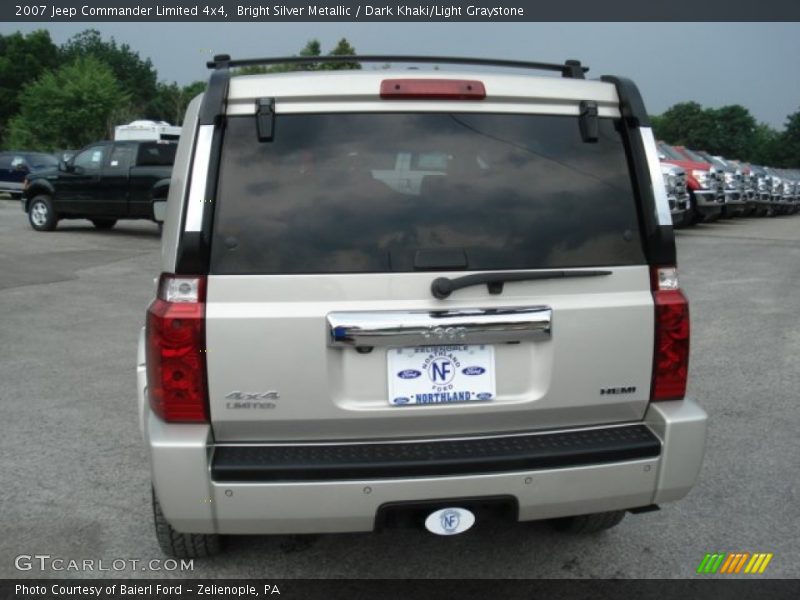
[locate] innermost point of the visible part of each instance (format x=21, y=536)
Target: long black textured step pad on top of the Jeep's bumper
x=386, y=460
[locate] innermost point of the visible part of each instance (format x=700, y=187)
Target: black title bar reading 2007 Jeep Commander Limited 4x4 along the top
x=80, y=11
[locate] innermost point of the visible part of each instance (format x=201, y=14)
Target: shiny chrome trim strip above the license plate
x=426, y=328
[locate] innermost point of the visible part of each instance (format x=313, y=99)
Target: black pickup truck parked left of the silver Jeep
x=103, y=182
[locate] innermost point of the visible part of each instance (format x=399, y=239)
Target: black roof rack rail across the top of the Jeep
x=570, y=68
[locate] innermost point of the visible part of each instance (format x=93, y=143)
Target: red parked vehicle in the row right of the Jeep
x=706, y=184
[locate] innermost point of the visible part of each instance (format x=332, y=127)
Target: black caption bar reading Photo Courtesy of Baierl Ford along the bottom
x=699, y=588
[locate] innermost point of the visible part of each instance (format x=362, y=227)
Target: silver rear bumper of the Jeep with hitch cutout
x=659, y=465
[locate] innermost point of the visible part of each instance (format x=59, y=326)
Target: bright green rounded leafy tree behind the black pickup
x=68, y=108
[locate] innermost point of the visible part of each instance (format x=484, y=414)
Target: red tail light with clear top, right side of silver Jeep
x=671, y=354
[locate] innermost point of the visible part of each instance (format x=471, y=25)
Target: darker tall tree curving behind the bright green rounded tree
x=136, y=77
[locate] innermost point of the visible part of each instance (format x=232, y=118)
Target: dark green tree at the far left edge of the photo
x=22, y=60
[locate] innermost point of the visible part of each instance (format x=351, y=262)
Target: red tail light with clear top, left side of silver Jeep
x=176, y=365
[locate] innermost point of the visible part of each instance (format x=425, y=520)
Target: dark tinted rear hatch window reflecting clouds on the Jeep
x=388, y=192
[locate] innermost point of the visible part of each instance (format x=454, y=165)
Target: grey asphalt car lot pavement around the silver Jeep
x=76, y=477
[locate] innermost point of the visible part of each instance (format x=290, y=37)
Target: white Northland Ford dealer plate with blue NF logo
x=441, y=374
